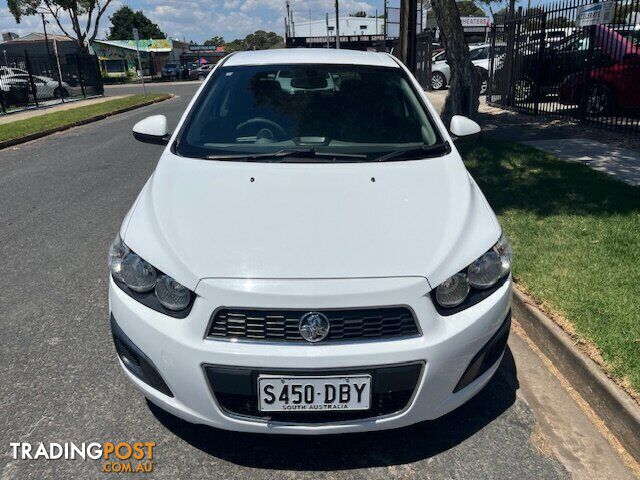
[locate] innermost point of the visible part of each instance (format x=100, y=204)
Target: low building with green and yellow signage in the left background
x=118, y=58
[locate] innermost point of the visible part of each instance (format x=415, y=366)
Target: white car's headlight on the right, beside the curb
x=477, y=281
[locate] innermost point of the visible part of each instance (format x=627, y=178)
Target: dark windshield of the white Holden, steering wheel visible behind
x=358, y=112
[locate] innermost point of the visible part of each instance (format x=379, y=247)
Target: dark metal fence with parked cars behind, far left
x=30, y=80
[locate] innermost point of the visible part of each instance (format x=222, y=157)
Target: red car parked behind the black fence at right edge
x=605, y=89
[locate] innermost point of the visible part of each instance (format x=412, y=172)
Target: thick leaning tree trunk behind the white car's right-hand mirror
x=464, y=87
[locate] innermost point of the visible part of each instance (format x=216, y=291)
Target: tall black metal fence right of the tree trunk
x=571, y=59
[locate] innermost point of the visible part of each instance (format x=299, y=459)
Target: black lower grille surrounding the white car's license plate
x=235, y=390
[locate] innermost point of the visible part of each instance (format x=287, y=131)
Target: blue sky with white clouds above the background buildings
x=203, y=19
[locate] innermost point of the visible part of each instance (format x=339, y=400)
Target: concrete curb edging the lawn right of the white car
x=617, y=409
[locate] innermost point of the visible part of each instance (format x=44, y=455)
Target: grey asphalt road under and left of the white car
x=63, y=199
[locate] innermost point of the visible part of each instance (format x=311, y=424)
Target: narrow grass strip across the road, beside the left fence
x=65, y=118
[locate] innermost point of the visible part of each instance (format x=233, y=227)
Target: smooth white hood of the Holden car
x=198, y=219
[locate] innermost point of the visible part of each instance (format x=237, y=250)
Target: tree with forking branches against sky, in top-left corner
x=84, y=15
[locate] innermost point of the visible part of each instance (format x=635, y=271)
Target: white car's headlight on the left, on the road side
x=143, y=282
